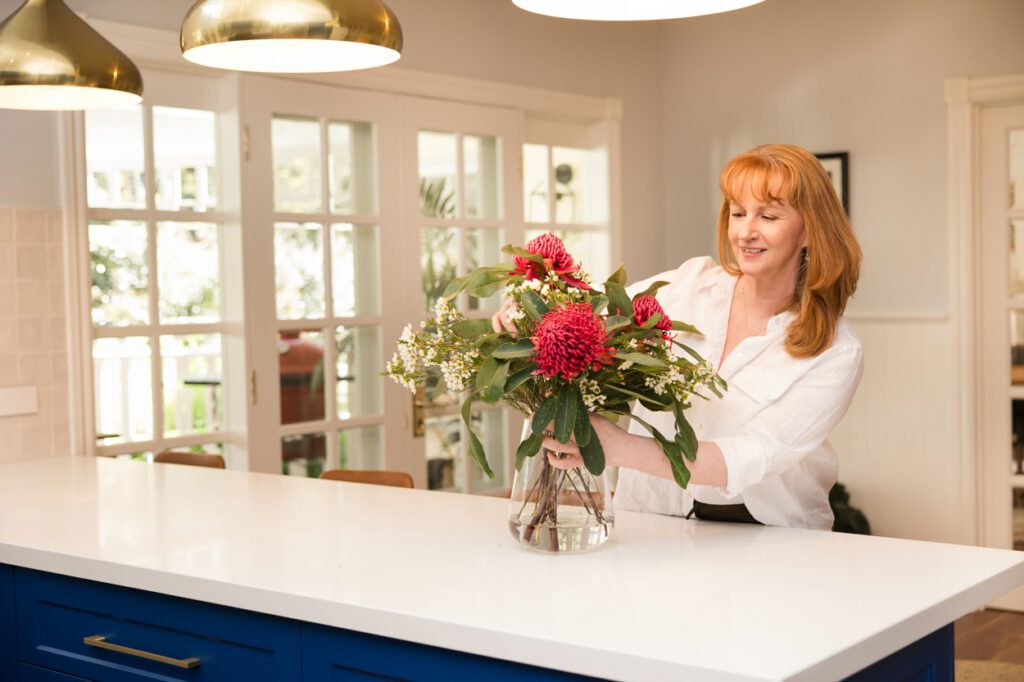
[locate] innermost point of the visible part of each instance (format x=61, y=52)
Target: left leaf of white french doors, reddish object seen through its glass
x=324, y=279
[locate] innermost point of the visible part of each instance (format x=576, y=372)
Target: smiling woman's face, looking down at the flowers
x=767, y=238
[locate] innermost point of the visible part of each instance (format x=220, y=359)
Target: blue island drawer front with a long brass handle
x=57, y=614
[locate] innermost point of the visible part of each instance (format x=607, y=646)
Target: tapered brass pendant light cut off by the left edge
x=51, y=60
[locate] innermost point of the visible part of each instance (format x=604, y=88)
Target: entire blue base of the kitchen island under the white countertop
x=52, y=617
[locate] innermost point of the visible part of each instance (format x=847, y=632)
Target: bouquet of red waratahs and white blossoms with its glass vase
x=576, y=350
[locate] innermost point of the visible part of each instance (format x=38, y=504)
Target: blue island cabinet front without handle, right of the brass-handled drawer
x=343, y=656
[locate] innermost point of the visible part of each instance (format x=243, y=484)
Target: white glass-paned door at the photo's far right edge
x=1002, y=418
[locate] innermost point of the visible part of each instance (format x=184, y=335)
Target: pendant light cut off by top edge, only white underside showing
x=631, y=11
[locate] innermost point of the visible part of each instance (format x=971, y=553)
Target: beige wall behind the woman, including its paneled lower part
x=866, y=77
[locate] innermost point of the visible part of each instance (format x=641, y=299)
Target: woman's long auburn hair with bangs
x=831, y=266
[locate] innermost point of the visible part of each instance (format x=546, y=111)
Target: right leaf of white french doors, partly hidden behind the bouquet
x=462, y=202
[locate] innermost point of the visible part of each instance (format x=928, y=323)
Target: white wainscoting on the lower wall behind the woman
x=899, y=445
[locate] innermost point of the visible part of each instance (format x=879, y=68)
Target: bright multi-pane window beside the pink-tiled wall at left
x=156, y=244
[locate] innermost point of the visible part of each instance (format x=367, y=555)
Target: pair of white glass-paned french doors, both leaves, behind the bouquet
x=359, y=209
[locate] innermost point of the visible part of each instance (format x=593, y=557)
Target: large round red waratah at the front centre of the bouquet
x=570, y=340
